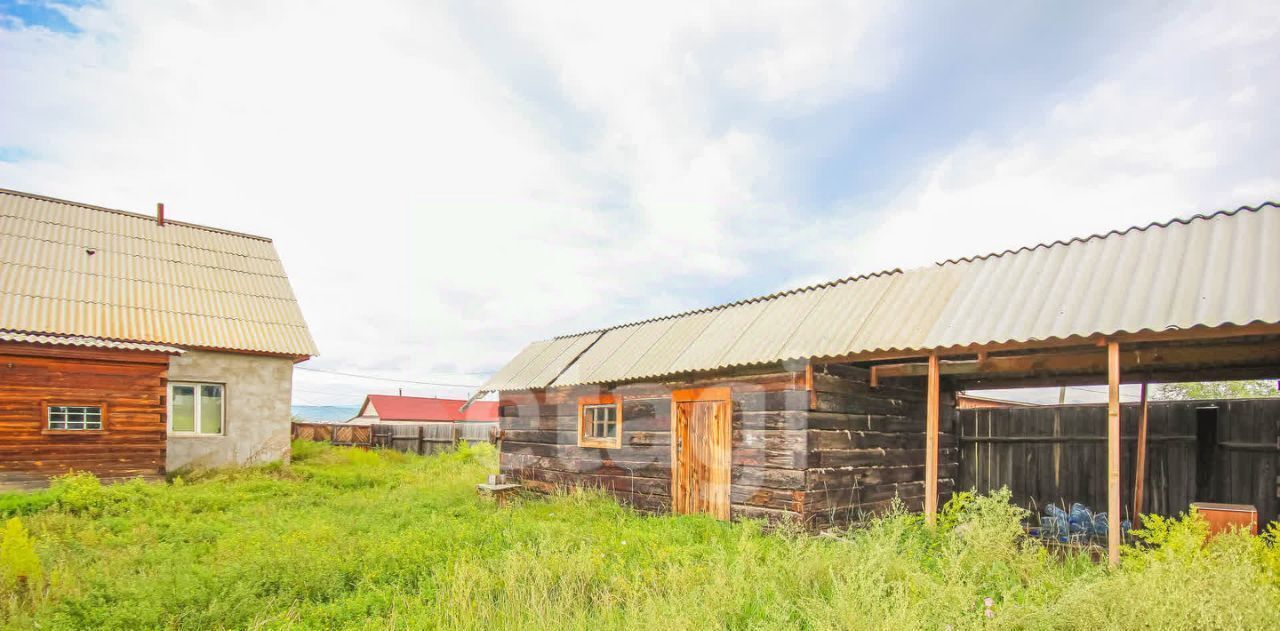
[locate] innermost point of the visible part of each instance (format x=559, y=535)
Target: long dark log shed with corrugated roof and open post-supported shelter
x=828, y=403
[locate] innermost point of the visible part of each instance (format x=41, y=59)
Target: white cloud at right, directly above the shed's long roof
x=1177, y=124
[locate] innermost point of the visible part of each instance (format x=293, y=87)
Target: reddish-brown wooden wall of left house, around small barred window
x=130, y=386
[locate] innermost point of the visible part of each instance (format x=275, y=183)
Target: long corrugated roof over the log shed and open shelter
x=1208, y=271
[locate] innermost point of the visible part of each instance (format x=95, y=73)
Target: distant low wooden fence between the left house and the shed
x=422, y=438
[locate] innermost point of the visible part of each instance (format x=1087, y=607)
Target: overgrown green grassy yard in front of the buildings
x=351, y=539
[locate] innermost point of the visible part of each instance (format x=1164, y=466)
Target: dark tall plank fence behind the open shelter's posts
x=1197, y=451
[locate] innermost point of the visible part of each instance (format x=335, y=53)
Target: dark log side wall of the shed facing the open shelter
x=866, y=447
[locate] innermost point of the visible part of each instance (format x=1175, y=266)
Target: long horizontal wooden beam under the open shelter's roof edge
x=1086, y=362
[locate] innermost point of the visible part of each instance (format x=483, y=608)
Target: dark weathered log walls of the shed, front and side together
x=826, y=456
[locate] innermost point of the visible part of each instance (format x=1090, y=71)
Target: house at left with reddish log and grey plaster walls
x=132, y=346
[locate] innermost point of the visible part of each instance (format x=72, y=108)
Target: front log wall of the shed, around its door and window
x=540, y=443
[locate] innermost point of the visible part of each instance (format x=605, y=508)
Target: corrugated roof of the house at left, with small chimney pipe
x=75, y=269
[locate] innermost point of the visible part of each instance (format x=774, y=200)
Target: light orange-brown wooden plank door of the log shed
x=703, y=443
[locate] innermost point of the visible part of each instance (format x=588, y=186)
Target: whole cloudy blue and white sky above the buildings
x=447, y=182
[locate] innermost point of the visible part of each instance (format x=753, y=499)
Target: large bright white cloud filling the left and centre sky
x=431, y=218
